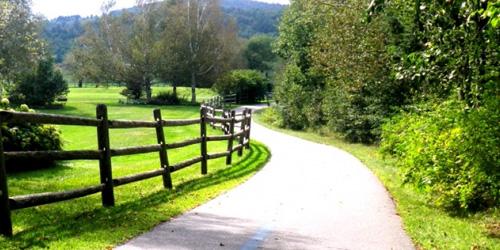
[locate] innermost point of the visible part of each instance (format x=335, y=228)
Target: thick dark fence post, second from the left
x=108, y=198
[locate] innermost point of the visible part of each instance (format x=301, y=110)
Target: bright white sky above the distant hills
x=54, y=8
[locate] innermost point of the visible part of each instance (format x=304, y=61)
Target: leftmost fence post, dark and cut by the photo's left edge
x=5, y=220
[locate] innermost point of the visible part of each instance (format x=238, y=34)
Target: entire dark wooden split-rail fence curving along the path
x=228, y=122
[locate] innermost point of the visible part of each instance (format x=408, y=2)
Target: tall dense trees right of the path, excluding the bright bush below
x=369, y=63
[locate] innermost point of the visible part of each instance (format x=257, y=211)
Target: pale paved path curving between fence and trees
x=309, y=196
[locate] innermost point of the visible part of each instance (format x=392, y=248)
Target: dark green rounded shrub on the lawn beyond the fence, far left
x=40, y=87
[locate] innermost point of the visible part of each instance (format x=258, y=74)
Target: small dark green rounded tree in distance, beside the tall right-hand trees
x=259, y=53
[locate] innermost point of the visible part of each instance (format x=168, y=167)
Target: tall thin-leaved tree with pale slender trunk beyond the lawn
x=199, y=43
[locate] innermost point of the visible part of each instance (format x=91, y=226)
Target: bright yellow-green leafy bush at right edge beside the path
x=450, y=152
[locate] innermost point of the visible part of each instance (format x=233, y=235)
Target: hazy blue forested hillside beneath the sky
x=251, y=17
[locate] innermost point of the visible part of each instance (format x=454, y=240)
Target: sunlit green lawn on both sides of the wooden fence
x=83, y=223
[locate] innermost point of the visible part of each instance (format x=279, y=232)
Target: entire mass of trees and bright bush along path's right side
x=351, y=64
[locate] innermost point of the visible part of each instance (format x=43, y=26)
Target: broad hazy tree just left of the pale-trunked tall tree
x=121, y=49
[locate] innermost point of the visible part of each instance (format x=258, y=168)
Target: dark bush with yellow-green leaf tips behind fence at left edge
x=29, y=137
